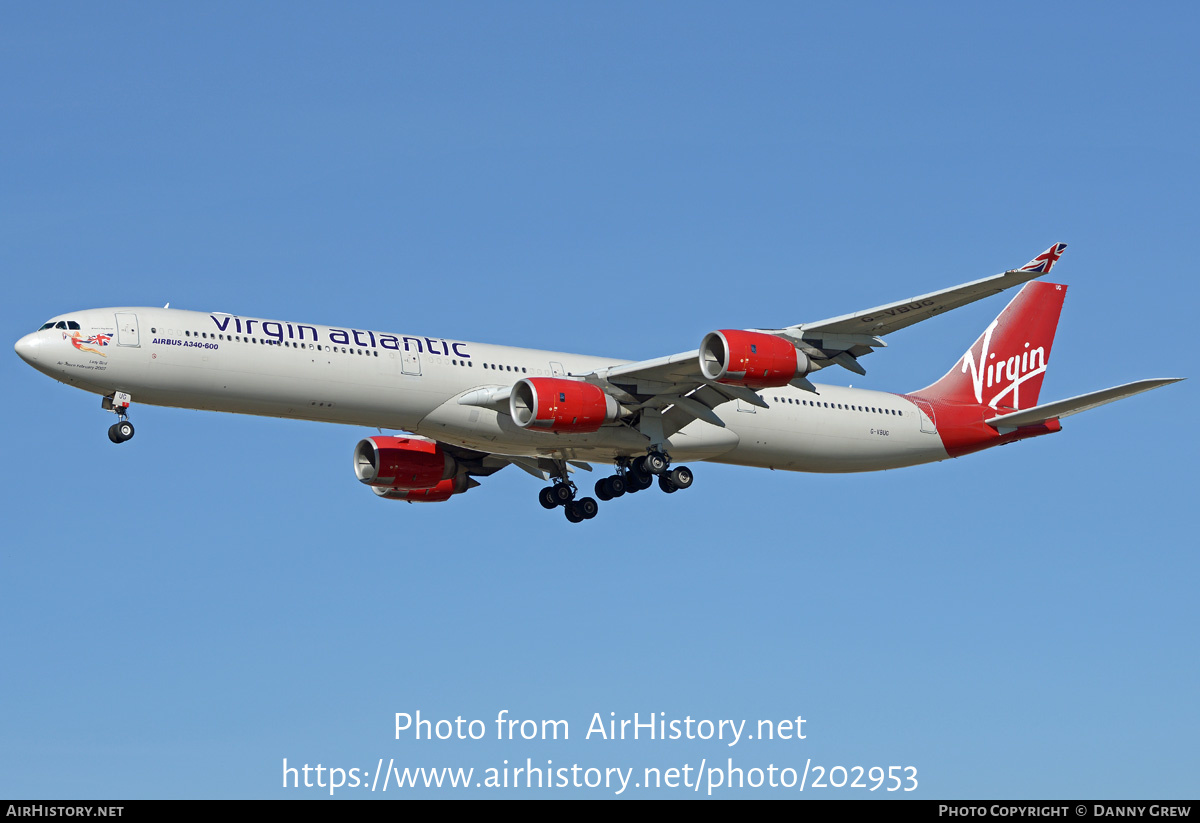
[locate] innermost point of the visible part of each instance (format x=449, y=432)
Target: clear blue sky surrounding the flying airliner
x=184, y=612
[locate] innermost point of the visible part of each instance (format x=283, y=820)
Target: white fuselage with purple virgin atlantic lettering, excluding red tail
x=223, y=363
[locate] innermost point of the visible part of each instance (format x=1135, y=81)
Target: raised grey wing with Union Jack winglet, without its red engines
x=679, y=383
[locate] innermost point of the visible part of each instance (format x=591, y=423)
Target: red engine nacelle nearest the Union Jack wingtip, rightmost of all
x=752, y=359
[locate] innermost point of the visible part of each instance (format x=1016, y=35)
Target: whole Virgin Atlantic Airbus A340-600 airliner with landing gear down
x=463, y=411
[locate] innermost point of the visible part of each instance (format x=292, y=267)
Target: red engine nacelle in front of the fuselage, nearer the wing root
x=554, y=405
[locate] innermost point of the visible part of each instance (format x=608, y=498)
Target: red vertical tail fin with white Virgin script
x=1006, y=365
